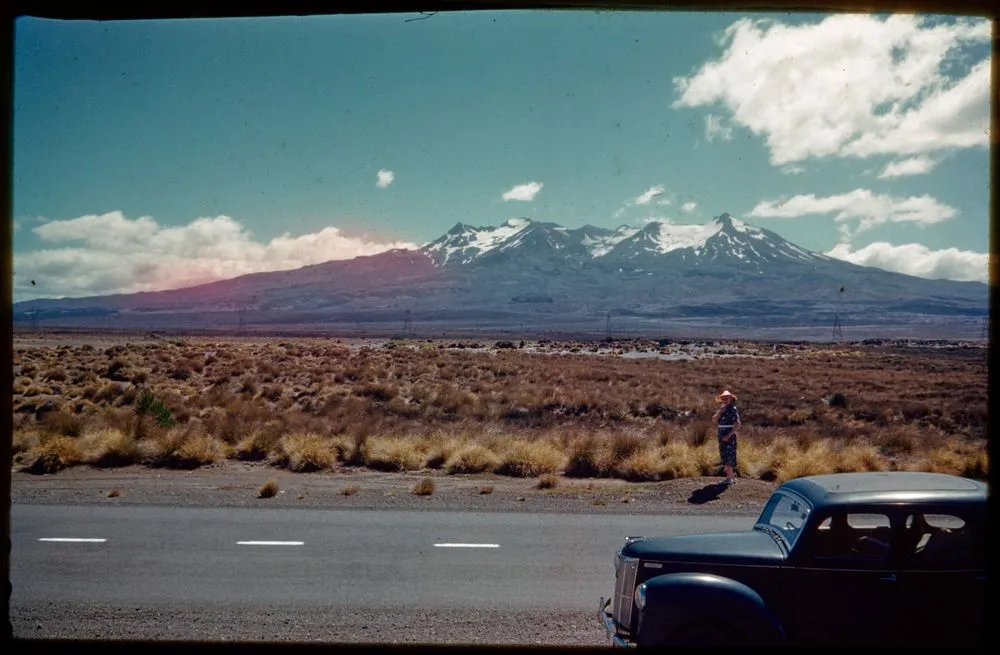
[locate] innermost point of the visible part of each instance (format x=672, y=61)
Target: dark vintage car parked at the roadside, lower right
x=847, y=559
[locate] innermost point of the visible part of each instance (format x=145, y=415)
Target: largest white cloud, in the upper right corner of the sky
x=851, y=85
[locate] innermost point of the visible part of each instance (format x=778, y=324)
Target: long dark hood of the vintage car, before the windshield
x=750, y=546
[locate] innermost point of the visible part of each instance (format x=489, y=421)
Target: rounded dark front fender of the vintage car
x=676, y=600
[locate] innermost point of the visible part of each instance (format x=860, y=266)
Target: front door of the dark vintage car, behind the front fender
x=845, y=588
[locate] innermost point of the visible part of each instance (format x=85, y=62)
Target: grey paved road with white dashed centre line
x=333, y=560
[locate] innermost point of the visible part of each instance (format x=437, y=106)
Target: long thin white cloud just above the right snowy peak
x=861, y=205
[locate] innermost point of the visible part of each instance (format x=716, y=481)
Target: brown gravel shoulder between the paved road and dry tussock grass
x=237, y=484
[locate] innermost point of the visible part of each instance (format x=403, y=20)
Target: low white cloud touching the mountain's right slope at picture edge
x=919, y=260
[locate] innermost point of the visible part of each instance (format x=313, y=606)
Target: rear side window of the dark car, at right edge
x=941, y=541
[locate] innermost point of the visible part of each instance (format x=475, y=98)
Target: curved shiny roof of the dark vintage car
x=887, y=487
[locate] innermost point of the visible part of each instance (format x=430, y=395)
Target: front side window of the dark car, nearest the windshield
x=845, y=537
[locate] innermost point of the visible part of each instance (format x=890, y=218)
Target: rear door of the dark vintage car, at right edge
x=942, y=578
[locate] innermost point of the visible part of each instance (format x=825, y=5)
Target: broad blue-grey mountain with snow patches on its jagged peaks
x=724, y=270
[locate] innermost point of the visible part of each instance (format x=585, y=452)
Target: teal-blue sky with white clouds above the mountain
x=161, y=154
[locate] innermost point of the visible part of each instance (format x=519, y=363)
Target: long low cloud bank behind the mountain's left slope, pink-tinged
x=111, y=253
